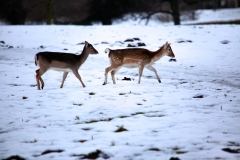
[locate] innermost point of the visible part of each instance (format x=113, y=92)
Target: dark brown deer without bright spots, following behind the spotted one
x=66, y=62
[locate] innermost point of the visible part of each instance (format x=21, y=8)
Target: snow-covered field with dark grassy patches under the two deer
x=193, y=114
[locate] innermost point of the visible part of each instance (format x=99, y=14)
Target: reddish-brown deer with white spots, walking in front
x=135, y=58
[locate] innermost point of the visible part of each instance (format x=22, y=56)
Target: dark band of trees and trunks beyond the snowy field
x=85, y=12
